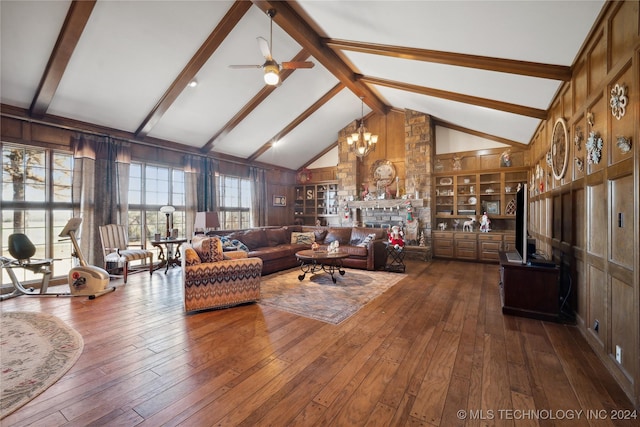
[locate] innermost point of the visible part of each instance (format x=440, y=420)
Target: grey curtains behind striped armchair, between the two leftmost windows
x=100, y=188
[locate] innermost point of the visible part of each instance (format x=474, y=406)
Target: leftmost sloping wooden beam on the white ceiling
x=74, y=23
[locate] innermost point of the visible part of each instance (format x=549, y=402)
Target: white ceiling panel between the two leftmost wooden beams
x=129, y=54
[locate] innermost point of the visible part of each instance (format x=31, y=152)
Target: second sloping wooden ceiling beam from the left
x=188, y=73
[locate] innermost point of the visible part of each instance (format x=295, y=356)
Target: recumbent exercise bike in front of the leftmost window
x=84, y=280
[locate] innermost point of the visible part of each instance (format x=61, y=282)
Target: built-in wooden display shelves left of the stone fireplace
x=318, y=201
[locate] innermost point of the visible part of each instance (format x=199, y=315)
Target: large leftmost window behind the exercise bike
x=36, y=201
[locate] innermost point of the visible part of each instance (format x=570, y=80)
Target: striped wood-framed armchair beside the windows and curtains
x=116, y=248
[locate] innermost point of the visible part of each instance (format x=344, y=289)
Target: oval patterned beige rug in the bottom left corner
x=36, y=350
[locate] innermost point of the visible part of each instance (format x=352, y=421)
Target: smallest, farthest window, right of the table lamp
x=234, y=202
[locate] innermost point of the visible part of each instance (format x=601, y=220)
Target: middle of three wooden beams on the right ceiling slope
x=458, y=97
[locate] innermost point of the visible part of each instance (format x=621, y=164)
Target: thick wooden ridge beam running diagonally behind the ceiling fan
x=302, y=32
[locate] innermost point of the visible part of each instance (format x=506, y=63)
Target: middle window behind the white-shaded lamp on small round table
x=150, y=188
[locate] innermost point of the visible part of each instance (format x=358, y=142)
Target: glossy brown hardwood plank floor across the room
x=433, y=350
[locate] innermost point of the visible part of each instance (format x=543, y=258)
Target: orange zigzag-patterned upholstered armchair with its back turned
x=216, y=279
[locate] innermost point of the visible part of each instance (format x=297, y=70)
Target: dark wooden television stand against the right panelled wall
x=529, y=290
